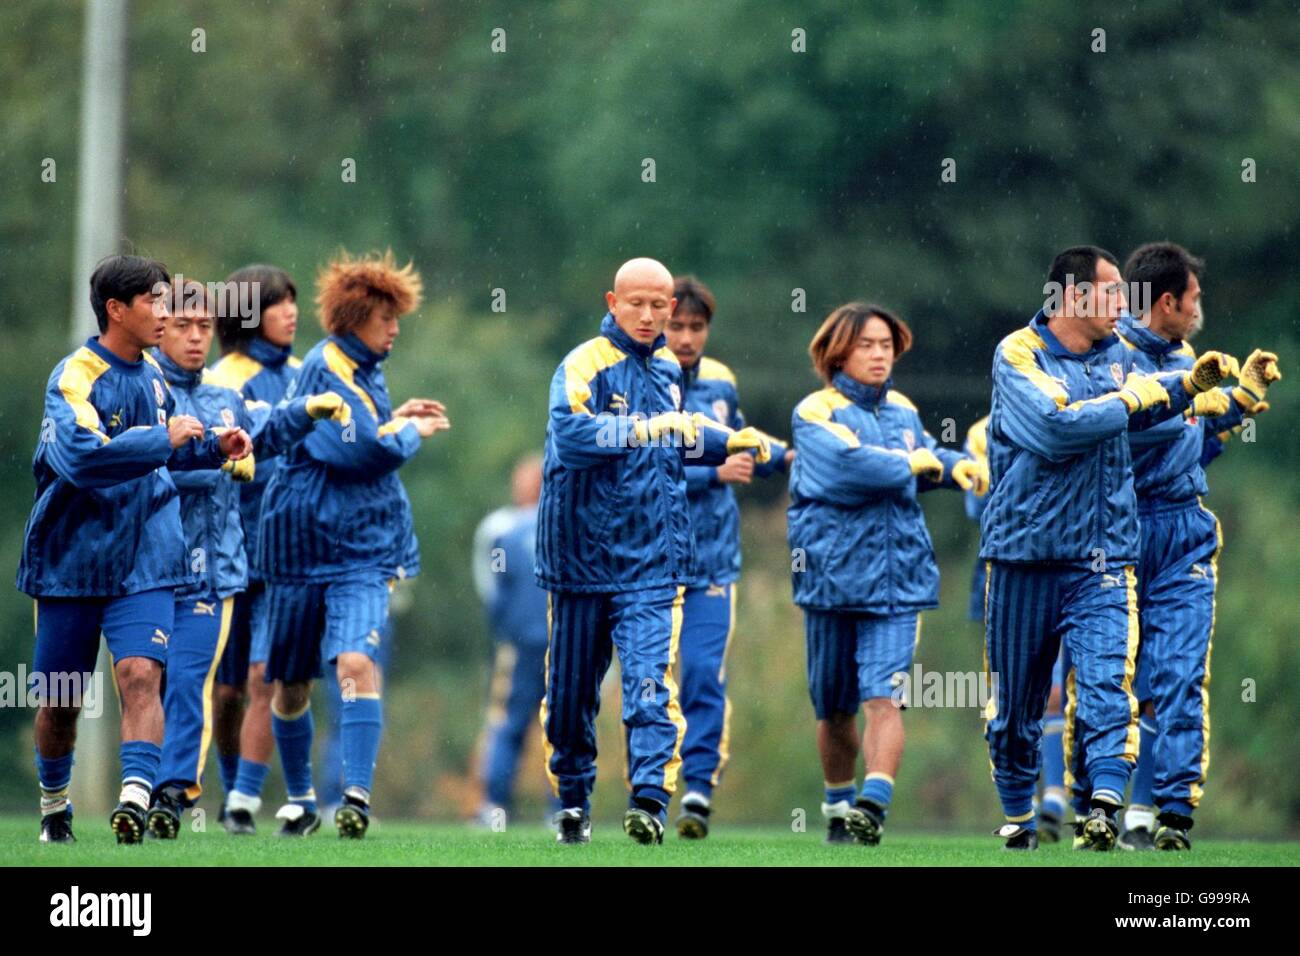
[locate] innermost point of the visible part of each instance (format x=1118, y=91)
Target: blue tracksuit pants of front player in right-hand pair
x=1032, y=611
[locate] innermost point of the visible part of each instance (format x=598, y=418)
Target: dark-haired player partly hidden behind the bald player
x=709, y=608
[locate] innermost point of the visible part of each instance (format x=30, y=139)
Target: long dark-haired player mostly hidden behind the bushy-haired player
x=257, y=361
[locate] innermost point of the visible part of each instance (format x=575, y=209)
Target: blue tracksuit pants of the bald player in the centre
x=586, y=630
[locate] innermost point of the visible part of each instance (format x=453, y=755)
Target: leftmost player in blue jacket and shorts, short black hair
x=103, y=548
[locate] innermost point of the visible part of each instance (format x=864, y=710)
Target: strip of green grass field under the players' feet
x=434, y=845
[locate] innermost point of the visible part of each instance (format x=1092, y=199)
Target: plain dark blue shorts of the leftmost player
x=68, y=630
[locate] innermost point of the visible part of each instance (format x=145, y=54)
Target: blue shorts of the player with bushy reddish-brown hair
x=310, y=625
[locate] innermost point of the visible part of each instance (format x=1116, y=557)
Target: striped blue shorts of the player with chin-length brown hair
x=853, y=657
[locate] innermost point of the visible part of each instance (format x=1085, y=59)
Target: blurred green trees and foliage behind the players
x=774, y=172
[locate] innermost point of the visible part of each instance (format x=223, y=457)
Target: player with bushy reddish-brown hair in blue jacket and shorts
x=337, y=531
